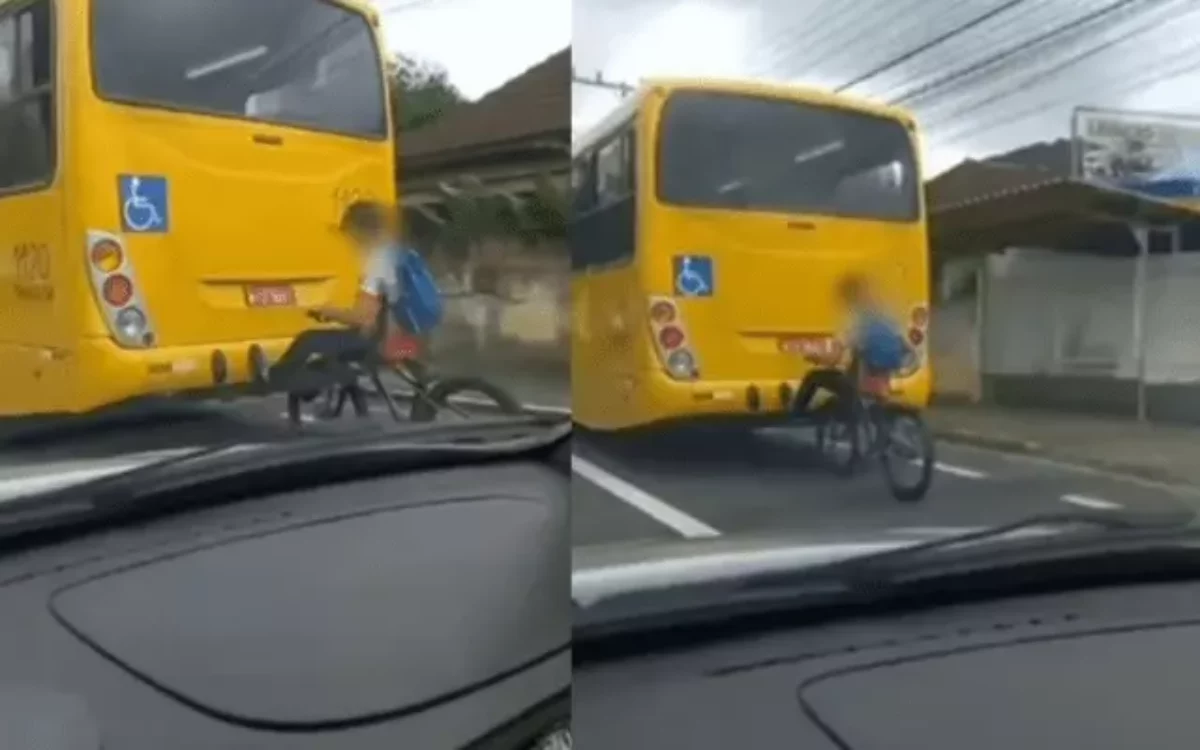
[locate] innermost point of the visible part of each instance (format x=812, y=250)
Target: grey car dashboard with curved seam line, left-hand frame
x=421, y=610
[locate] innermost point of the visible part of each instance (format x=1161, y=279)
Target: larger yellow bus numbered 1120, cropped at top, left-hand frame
x=172, y=177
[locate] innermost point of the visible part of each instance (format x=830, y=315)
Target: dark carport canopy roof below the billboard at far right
x=1046, y=214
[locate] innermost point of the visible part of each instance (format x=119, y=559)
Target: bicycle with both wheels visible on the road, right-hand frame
x=871, y=428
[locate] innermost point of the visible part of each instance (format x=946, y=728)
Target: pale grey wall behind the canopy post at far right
x=1059, y=333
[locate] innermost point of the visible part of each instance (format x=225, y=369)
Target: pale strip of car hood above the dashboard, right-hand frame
x=616, y=569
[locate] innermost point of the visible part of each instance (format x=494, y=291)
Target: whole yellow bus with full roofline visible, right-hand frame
x=711, y=226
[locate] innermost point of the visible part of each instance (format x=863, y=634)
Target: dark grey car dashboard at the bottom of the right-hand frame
x=1099, y=670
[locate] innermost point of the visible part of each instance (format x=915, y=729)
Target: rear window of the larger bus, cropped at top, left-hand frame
x=303, y=63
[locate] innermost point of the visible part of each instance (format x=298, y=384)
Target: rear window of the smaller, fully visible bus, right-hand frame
x=757, y=154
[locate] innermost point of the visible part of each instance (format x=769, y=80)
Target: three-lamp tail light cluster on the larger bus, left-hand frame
x=118, y=297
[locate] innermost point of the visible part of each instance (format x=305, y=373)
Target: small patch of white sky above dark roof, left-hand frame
x=482, y=44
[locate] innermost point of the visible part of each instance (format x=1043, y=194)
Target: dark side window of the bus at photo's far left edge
x=27, y=98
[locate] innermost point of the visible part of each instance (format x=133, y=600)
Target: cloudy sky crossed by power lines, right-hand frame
x=1143, y=56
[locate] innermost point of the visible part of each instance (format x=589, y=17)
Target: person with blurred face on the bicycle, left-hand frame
x=368, y=225
